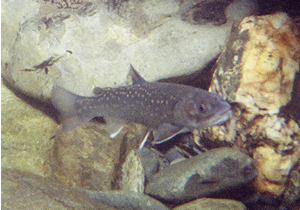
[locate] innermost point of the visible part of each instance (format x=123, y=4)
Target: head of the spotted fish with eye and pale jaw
x=201, y=109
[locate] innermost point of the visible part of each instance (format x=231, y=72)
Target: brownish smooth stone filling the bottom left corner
x=23, y=190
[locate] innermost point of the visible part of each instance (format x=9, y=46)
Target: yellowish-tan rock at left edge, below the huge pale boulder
x=26, y=133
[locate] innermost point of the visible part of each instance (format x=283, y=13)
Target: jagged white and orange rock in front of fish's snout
x=256, y=72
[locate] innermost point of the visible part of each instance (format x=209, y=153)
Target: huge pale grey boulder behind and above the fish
x=92, y=43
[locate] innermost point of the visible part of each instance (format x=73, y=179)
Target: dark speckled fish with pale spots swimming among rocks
x=168, y=108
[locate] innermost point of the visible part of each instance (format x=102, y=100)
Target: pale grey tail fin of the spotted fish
x=64, y=101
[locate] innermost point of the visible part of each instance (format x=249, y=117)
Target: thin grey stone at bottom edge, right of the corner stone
x=126, y=200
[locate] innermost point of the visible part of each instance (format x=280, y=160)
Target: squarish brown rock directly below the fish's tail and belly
x=86, y=158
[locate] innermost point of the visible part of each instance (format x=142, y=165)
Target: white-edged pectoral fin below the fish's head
x=167, y=131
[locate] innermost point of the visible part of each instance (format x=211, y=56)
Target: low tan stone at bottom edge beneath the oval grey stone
x=212, y=204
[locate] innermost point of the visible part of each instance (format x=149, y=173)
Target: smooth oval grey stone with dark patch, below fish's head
x=203, y=175
